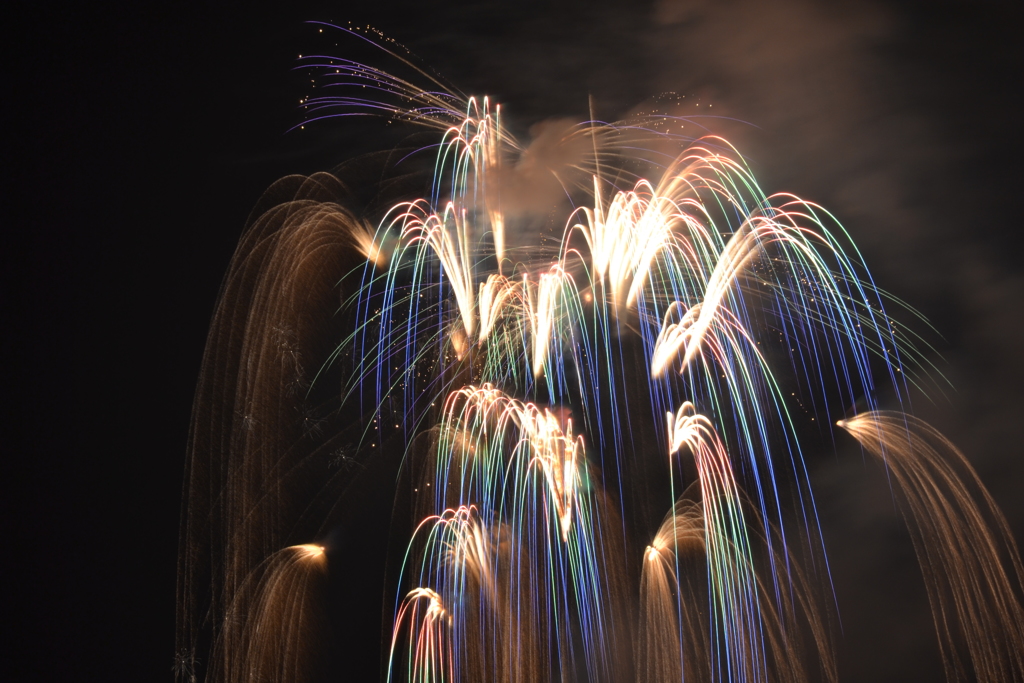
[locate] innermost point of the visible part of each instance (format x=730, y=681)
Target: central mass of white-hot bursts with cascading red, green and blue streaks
x=514, y=568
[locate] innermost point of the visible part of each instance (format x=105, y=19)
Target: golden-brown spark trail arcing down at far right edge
x=963, y=544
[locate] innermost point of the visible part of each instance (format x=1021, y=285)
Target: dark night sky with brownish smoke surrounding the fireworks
x=144, y=136
